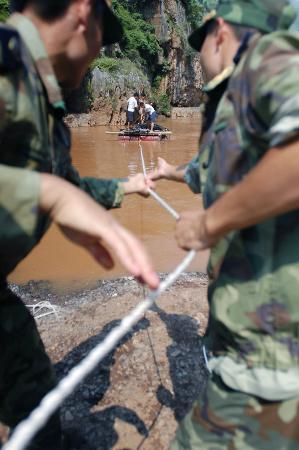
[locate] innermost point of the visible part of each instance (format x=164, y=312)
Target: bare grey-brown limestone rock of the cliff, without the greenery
x=104, y=94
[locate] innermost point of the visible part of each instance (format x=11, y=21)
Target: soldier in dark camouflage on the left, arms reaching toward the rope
x=50, y=43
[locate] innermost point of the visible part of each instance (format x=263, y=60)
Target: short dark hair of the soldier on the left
x=45, y=9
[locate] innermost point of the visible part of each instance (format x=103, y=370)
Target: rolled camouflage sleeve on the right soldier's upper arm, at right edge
x=274, y=67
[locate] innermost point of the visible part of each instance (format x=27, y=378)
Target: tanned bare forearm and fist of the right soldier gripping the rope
x=270, y=189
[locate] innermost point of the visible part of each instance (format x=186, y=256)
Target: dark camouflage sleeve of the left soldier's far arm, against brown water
x=109, y=193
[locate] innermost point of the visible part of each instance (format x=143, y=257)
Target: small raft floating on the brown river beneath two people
x=141, y=133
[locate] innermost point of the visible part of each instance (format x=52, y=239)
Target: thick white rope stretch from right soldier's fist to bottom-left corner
x=27, y=429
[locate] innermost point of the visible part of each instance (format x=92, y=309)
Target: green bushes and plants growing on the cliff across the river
x=142, y=50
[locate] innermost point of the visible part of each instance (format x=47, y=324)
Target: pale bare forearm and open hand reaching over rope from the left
x=89, y=225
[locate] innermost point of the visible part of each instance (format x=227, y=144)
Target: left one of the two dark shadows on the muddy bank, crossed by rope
x=96, y=428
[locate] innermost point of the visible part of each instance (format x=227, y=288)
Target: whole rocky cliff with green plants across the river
x=154, y=57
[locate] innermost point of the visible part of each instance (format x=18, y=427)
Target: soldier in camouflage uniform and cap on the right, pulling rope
x=247, y=172
